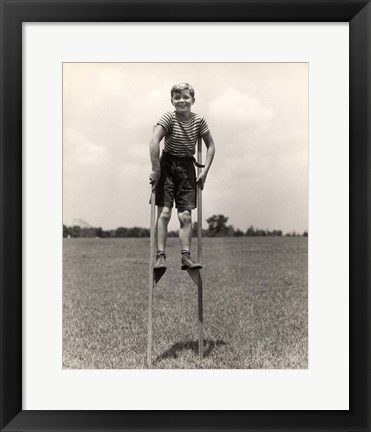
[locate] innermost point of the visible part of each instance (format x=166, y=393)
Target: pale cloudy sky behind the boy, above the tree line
x=257, y=115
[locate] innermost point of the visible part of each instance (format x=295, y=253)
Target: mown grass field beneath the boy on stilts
x=255, y=305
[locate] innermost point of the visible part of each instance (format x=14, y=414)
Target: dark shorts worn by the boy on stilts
x=177, y=181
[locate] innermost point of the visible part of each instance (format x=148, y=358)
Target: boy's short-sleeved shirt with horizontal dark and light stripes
x=181, y=136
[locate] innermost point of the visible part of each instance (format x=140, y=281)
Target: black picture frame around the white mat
x=16, y=12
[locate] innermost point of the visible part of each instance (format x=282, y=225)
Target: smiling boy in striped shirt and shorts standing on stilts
x=173, y=175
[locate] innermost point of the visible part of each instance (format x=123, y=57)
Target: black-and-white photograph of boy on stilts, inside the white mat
x=185, y=215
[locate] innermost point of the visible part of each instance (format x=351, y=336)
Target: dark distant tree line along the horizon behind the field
x=217, y=228
